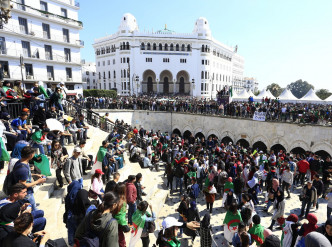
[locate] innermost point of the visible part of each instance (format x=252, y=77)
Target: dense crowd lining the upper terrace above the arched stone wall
x=274, y=109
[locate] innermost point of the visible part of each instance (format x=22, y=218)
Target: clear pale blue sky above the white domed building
x=281, y=41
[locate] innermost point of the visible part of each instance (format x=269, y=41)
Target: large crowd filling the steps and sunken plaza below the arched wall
x=111, y=206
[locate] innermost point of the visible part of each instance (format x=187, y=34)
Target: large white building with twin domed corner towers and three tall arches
x=165, y=62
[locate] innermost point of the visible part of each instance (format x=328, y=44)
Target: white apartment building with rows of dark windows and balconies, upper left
x=41, y=42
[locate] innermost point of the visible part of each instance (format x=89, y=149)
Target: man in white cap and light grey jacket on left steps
x=73, y=167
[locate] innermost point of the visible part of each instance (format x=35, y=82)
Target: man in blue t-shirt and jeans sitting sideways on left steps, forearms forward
x=22, y=174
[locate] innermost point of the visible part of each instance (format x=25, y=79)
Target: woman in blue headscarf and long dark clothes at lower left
x=68, y=216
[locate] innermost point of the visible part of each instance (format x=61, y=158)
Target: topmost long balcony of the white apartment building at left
x=50, y=17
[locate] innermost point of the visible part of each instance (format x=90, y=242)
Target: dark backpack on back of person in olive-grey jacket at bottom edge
x=91, y=238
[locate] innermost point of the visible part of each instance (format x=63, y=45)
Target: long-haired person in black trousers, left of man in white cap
x=59, y=156
